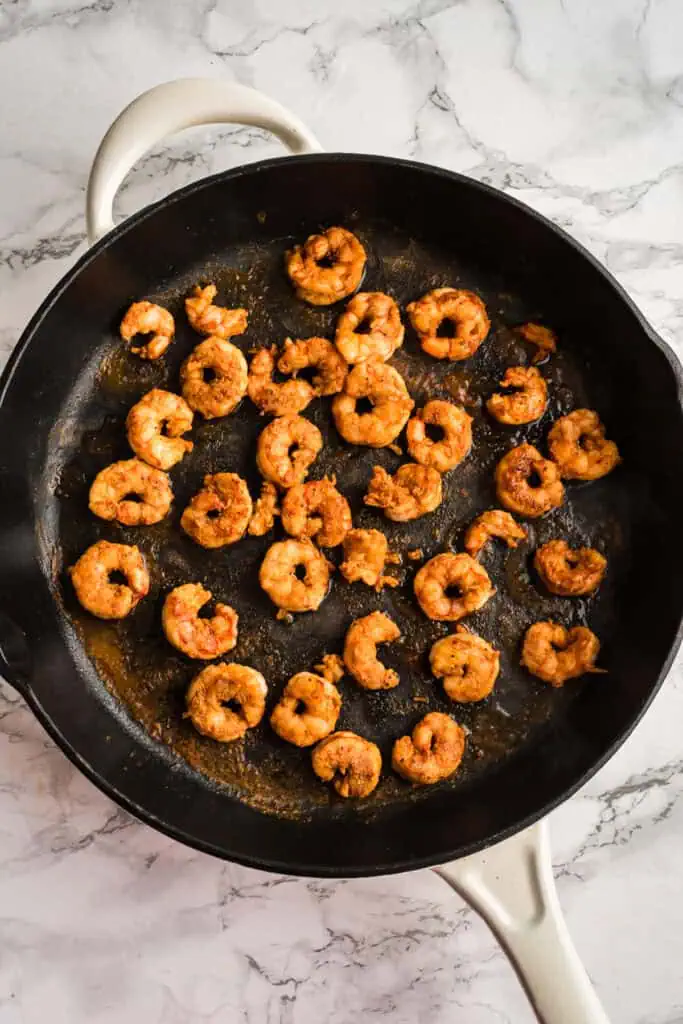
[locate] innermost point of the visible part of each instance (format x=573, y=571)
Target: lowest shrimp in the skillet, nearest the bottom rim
x=350, y=762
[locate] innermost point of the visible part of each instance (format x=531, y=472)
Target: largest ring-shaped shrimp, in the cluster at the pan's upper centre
x=387, y=391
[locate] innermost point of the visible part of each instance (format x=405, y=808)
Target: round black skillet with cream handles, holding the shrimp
x=111, y=696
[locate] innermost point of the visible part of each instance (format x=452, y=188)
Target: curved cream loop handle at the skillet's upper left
x=170, y=108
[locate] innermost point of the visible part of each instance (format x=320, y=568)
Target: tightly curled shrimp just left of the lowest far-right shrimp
x=467, y=664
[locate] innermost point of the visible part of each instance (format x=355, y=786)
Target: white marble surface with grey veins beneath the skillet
x=577, y=108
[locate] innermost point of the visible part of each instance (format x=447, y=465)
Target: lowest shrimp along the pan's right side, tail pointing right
x=556, y=655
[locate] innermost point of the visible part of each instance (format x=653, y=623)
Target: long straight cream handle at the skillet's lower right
x=511, y=886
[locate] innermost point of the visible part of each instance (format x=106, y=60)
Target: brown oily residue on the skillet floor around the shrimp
x=151, y=678
